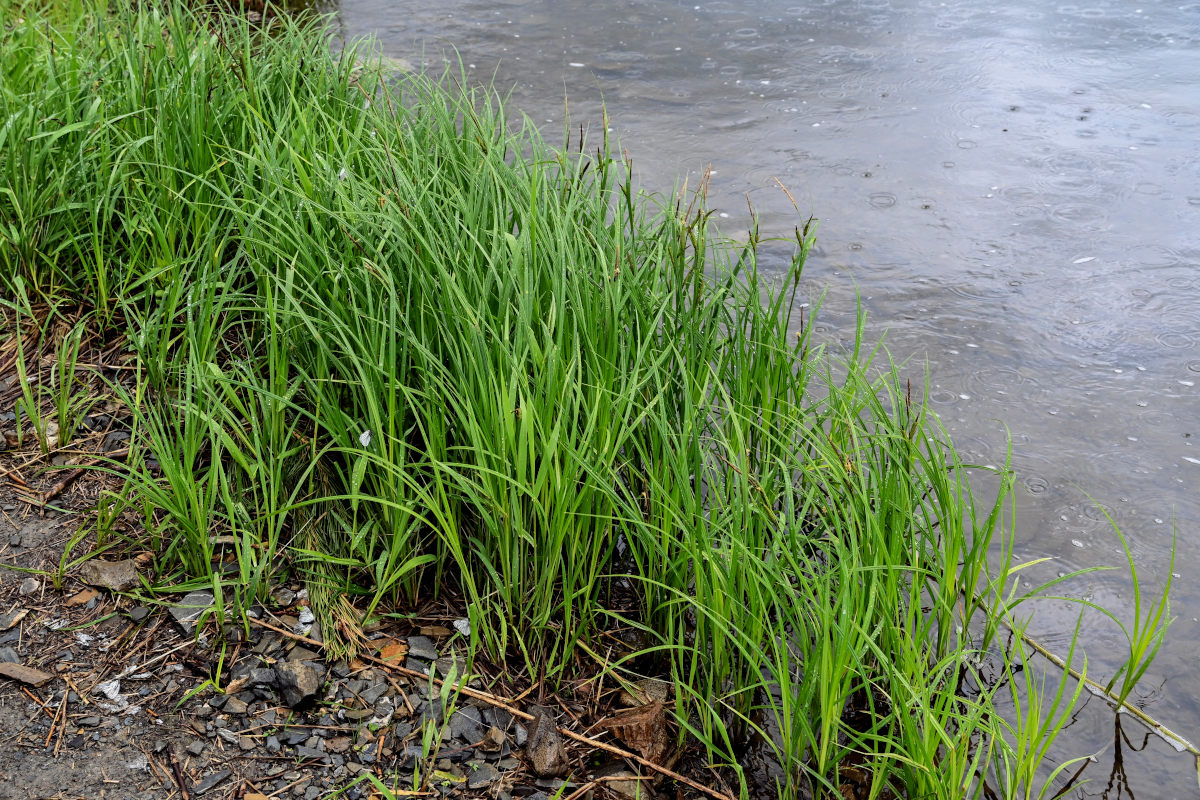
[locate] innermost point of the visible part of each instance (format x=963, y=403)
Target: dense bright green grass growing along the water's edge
x=388, y=339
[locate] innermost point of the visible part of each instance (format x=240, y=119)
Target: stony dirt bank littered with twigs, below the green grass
x=104, y=697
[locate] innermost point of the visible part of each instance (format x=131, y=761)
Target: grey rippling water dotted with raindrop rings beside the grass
x=1013, y=190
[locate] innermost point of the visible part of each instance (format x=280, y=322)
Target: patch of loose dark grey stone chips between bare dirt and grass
x=287, y=723
